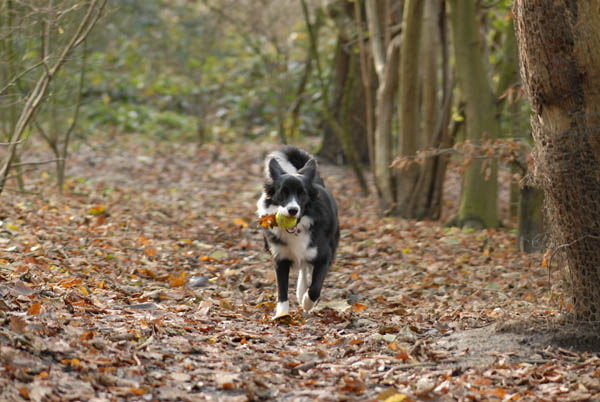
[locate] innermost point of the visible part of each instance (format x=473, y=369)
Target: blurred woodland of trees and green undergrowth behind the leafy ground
x=404, y=88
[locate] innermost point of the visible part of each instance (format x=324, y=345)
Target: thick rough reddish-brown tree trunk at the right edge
x=559, y=52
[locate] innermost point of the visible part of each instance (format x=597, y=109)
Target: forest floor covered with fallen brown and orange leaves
x=148, y=280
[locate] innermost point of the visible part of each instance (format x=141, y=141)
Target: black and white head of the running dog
x=291, y=192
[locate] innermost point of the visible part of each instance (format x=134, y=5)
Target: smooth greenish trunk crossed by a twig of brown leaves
x=479, y=197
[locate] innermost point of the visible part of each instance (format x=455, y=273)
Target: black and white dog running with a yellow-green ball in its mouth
x=294, y=188
